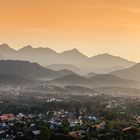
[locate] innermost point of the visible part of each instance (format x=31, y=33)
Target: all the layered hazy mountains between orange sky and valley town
x=69, y=68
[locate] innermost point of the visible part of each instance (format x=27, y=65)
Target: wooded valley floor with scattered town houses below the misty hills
x=68, y=113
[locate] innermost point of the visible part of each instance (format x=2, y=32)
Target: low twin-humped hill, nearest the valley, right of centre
x=101, y=80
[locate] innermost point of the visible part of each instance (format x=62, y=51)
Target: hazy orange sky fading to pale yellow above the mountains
x=92, y=26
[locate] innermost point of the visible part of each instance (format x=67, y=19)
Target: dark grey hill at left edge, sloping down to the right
x=24, y=71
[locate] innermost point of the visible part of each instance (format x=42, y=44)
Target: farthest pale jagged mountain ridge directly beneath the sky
x=102, y=63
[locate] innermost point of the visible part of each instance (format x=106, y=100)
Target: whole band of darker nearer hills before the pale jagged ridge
x=24, y=72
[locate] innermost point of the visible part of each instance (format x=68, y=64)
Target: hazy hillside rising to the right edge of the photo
x=130, y=73
